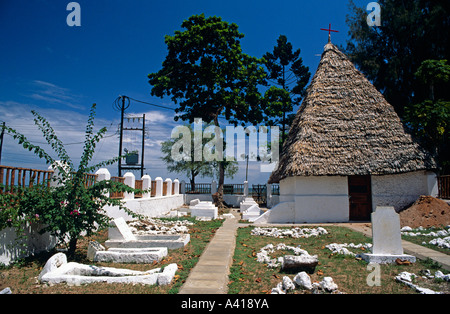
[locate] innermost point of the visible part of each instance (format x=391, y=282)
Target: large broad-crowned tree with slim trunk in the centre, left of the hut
x=206, y=73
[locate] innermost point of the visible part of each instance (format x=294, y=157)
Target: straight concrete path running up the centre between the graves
x=210, y=275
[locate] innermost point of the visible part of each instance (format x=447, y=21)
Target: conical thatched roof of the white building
x=346, y=127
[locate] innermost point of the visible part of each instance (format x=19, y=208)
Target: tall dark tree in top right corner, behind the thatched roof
x=389, y=55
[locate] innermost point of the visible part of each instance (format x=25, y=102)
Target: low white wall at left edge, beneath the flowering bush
x=12, y=249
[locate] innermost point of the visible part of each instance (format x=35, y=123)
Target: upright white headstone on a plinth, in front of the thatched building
x=386, y=236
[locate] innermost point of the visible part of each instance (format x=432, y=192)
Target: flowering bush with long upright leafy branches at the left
x=70, y=208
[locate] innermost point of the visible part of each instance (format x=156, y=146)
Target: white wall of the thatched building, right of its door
x=401, y=190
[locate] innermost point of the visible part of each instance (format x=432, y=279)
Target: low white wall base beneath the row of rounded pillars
x=150, y=207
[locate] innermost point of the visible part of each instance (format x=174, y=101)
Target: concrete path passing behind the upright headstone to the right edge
x=418, y=251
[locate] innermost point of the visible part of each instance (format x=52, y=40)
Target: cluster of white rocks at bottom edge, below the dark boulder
x=302, y=281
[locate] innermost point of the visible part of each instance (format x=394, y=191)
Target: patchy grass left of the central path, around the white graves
x=21, y=276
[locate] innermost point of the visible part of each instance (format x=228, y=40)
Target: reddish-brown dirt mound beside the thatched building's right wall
x=427, y=212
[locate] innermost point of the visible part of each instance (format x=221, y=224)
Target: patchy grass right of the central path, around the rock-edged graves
x=350, y=274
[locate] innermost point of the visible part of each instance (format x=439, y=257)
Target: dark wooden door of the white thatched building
x=360, y=197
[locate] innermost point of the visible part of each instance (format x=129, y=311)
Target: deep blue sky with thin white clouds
x=60, y=70
